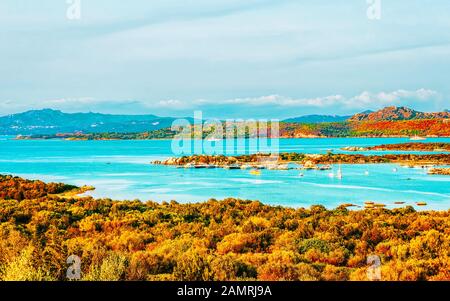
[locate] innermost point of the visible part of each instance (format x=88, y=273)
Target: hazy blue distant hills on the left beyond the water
x=48, y=121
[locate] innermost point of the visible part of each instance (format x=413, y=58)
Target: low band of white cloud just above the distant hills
x=269, y=105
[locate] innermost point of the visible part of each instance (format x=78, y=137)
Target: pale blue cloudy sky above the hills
x=228, y=58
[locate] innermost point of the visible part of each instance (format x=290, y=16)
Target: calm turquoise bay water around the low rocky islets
x=121, y=170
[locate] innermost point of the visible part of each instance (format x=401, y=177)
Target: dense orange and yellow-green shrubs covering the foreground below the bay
x=215, y=240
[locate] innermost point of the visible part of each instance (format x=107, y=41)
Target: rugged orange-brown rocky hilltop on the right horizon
x=397, y=113
